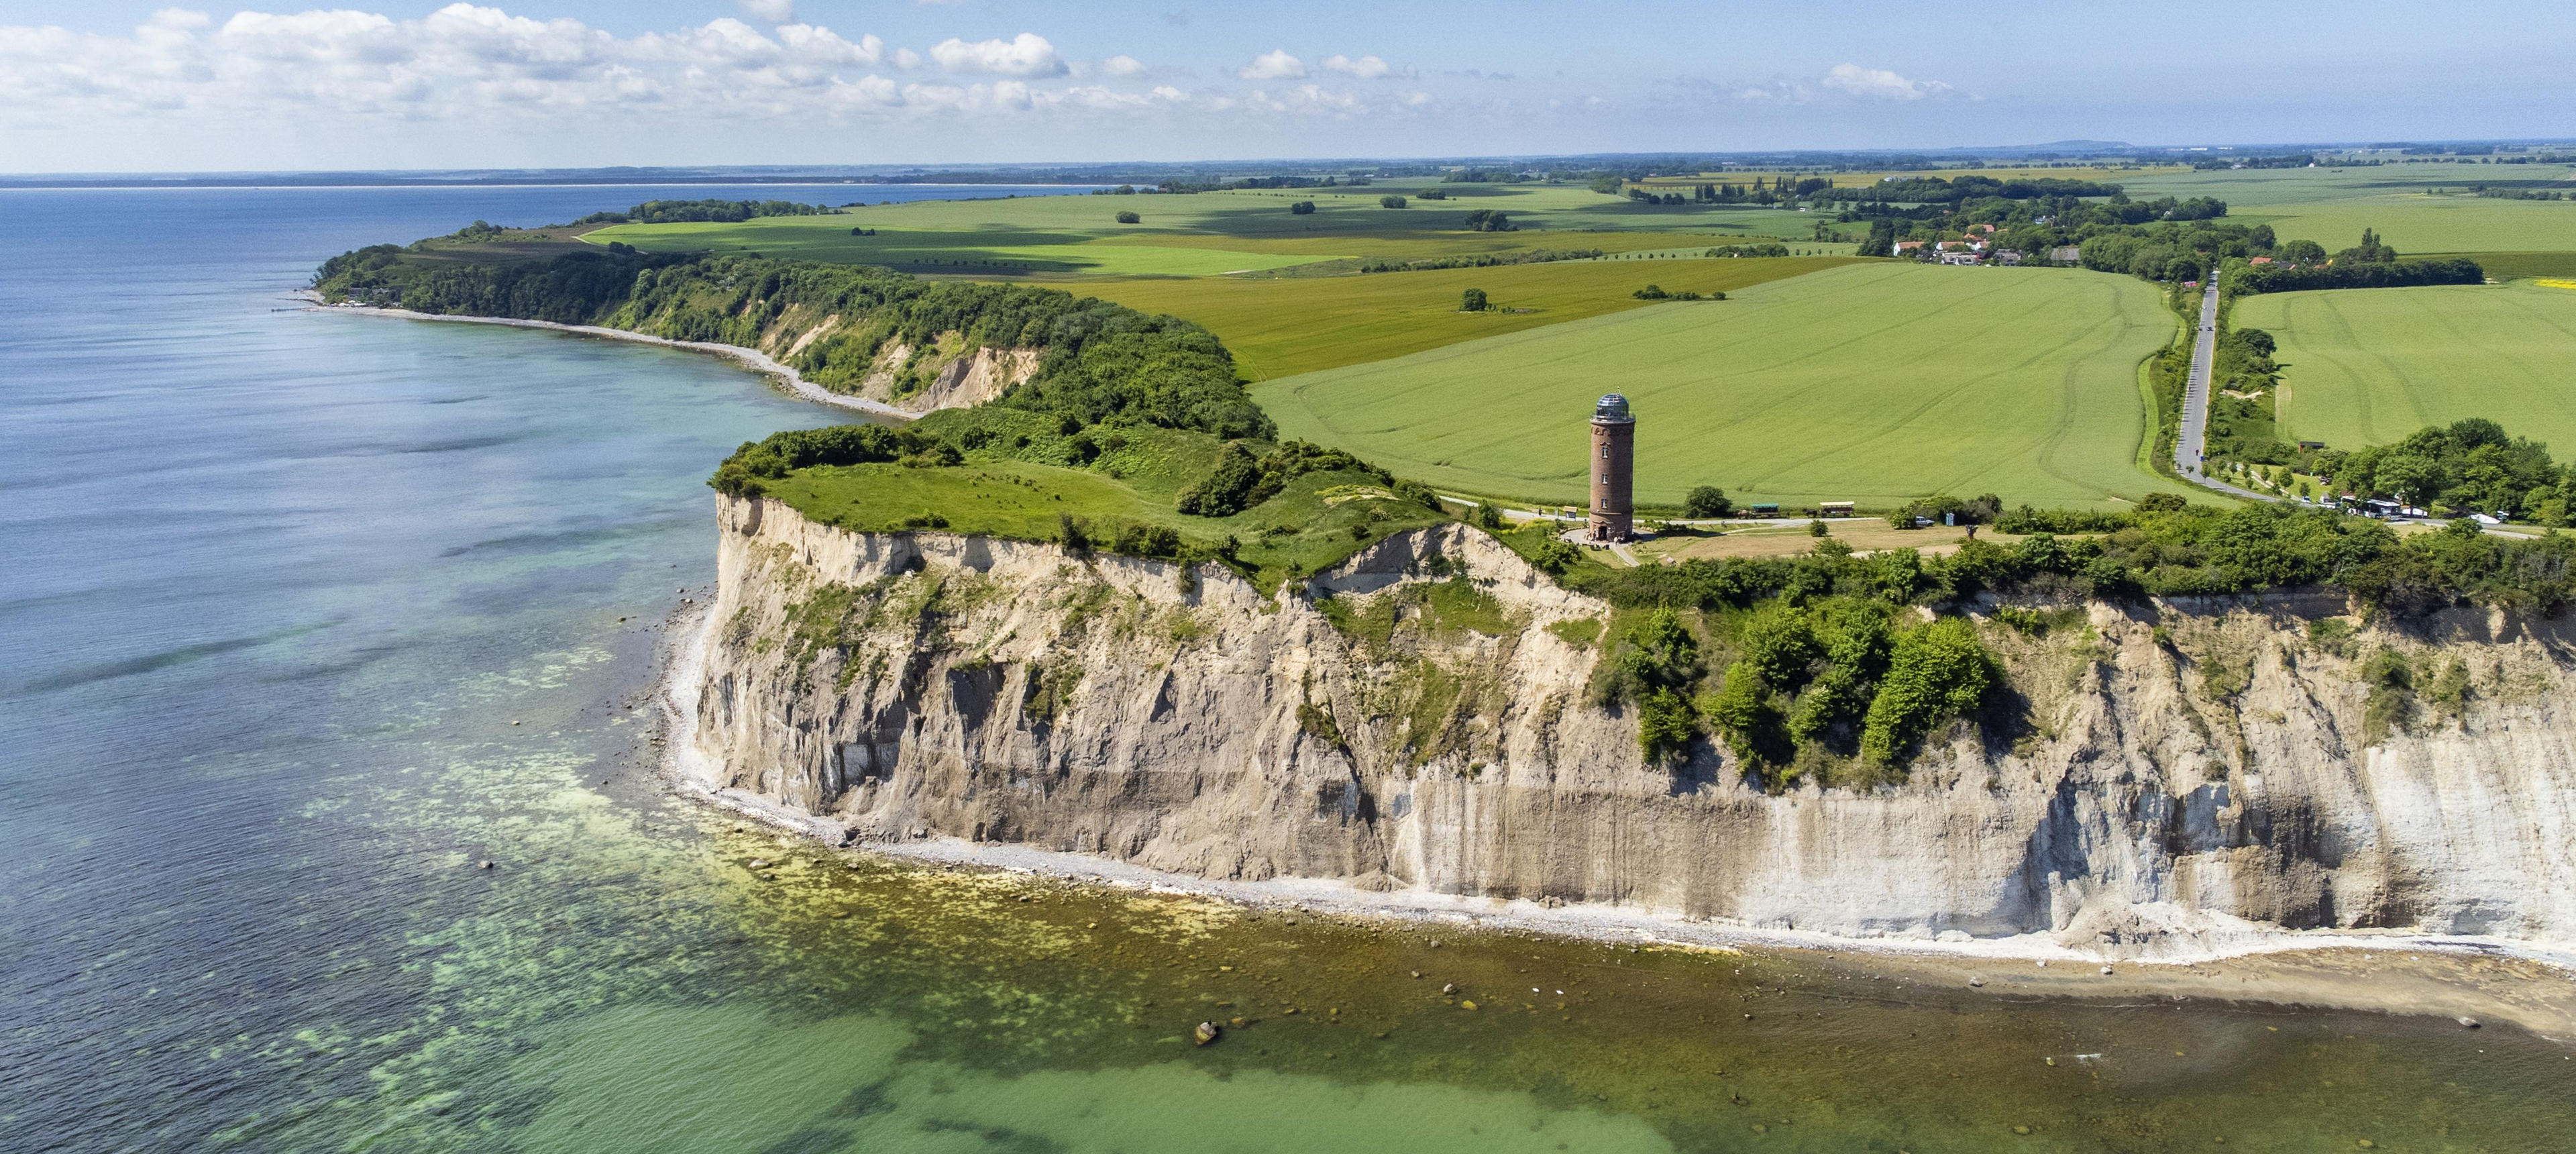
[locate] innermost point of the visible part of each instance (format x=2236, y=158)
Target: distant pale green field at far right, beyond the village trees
x=2402, y=202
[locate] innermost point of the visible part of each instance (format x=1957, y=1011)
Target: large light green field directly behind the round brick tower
x=1866, y=383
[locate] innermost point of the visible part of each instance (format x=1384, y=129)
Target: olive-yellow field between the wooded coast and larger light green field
x=1284, y=328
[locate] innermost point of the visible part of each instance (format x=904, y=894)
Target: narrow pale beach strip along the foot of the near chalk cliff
x=2469, y=980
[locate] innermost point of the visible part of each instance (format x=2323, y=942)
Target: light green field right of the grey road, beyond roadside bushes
x=2376, y=364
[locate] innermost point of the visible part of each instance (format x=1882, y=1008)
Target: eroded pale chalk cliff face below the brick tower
x=2183, y=792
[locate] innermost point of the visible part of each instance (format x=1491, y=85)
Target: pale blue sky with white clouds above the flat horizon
x=112, y=86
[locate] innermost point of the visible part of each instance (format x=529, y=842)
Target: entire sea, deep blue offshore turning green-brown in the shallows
x=305, y=614
